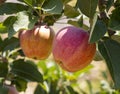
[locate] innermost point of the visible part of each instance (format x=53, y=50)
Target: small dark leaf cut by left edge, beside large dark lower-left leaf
x=3, y=69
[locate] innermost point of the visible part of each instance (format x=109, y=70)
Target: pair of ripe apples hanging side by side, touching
x=70, y=46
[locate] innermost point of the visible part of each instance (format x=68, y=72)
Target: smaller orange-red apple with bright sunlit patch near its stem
x=37, y=43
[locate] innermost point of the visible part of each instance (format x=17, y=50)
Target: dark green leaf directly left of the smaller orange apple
x=10, y=44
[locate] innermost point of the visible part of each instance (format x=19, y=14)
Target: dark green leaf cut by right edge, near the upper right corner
x=114, y=22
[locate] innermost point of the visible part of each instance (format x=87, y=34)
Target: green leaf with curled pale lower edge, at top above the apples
x=53, y=6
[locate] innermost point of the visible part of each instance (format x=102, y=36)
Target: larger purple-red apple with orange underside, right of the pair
x=71, y=49
